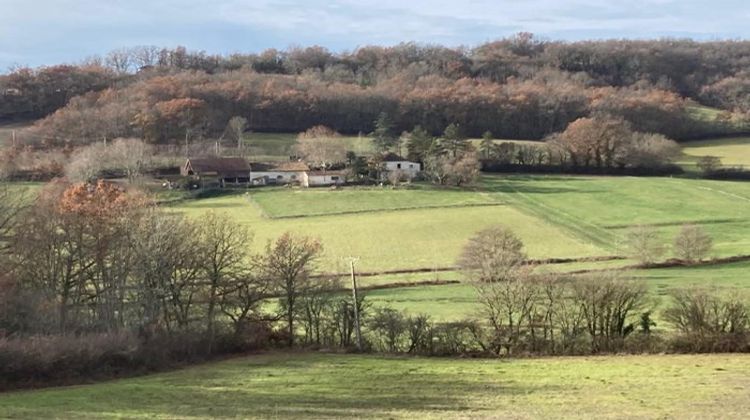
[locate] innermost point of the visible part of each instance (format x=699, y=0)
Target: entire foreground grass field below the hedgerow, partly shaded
x=353, y=386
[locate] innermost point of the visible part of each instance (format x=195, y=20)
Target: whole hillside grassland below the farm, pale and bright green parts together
x=425, y=227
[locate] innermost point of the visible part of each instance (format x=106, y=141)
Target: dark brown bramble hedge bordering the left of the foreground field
x=45, y=360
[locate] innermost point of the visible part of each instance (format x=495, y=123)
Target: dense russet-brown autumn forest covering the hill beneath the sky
x=520, y=87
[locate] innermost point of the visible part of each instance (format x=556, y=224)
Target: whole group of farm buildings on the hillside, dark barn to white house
x=237, y=171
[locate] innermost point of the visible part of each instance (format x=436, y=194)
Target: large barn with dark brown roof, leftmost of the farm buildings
x=217, y=170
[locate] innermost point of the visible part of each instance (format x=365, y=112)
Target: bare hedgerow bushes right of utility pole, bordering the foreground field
x=582, y=317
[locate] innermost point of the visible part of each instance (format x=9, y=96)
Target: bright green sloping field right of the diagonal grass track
x=601, y=209
